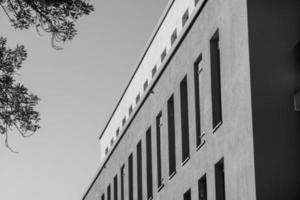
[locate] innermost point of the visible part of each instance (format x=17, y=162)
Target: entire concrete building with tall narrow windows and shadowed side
x=211, y=111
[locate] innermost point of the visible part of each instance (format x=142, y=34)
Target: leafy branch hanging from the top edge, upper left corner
x=57, y=17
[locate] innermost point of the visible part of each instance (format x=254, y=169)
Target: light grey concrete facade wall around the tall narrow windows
x=233, y=140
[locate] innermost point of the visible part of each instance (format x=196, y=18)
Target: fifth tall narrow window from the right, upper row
x=158, y=131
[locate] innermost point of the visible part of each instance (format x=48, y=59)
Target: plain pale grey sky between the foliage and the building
x=79, y=86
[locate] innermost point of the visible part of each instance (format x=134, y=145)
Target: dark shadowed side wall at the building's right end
x=274, y=30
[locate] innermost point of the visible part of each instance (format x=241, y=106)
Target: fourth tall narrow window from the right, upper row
x=171, y=135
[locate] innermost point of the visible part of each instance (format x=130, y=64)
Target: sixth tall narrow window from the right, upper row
x=149, y=163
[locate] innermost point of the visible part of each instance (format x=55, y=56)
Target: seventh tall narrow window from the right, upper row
x=139, y=170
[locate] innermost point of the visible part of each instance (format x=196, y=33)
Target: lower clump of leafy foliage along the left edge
x=16, y=102
